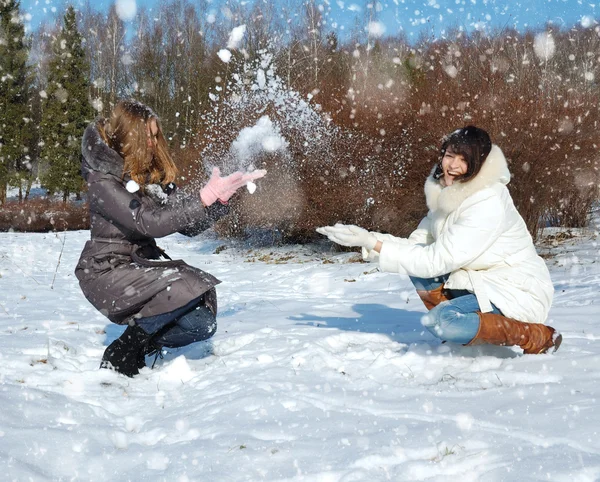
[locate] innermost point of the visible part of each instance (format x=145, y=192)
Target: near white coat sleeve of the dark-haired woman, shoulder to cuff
x=479, y=223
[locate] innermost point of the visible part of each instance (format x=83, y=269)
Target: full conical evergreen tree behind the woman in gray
x=66, y=111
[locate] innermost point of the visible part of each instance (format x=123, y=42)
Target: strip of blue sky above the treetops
x=408, y=16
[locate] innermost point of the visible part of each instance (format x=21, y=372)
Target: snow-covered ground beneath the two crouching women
x=320, y=371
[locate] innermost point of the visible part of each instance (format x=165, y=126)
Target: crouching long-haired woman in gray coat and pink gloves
x=132, y=200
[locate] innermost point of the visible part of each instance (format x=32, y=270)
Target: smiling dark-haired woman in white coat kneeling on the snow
x=471, y=258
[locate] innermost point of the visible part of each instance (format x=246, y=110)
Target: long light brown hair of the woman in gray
x=126, y=131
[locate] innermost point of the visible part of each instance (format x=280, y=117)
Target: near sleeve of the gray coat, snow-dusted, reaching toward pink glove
x=109, y=198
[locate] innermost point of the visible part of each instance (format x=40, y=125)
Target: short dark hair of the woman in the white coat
x=471, y=142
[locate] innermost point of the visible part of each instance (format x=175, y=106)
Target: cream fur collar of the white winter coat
x=447, y=199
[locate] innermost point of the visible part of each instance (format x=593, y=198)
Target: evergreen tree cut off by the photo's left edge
x=16, y=128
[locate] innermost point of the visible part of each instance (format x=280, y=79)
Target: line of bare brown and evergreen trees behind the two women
x=384, y=102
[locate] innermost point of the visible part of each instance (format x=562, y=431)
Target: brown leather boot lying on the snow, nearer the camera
x=534, y=338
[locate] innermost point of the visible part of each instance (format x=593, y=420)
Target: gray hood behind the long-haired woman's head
x=97, y=155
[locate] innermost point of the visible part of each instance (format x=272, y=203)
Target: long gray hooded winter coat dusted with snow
x=119, y=269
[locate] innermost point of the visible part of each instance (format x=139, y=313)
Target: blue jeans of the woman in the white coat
x=455, y=320
